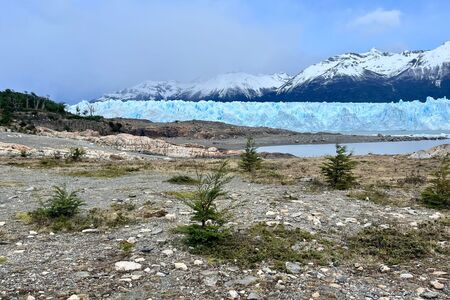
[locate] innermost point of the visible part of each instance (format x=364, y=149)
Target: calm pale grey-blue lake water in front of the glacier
x=356, y=148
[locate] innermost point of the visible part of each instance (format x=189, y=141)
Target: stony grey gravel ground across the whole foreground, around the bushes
x=37, y=263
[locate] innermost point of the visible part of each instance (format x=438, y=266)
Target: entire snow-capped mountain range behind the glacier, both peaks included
x=373, y=76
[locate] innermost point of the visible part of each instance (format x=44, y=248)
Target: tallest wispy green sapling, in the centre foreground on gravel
x=206, y=213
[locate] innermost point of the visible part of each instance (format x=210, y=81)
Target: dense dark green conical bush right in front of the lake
x=338, y=169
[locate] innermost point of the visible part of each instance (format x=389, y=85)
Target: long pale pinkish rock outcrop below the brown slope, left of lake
x=141, y=144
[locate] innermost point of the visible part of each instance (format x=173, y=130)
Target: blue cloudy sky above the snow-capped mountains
x=80, y=49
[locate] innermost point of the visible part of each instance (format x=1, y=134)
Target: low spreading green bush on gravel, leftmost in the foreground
x=62, y=204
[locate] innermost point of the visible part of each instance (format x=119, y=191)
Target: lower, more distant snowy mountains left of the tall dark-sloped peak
x=224, y=87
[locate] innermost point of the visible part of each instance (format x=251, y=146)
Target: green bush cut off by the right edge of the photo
x=437, y=195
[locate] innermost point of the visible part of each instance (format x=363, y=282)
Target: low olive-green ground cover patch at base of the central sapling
x=274, y=245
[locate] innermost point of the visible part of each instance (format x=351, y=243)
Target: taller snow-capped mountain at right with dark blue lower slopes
x=374, y=76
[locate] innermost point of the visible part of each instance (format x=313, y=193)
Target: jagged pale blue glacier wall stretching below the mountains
x=433, y=114
